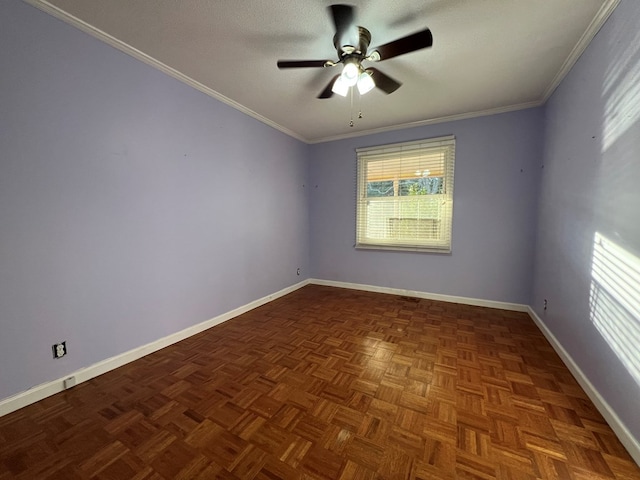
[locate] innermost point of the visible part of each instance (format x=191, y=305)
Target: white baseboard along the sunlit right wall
x=624, y=435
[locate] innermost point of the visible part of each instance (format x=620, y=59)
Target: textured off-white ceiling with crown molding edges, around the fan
x=488, y=56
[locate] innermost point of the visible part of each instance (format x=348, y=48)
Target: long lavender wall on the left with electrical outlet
x=131, y=205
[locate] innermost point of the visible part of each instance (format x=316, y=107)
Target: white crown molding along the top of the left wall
x=143, y=57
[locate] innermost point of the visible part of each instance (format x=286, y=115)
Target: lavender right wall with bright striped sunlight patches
x=588, y=248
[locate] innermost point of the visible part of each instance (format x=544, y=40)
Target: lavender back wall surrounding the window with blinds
x=496, y=179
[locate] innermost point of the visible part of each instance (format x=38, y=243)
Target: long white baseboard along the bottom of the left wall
x=39, y=392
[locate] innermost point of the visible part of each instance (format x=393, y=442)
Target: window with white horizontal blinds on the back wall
x=405, y=196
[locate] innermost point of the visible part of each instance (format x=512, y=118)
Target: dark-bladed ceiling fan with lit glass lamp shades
x=351, y=42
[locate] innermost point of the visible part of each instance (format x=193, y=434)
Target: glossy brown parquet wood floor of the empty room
x=328, y=383
